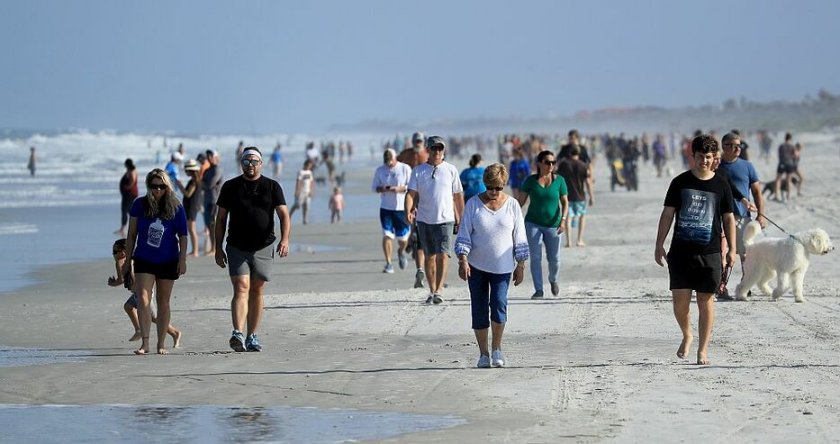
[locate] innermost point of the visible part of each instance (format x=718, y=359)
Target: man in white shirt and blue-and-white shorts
x=391, y=182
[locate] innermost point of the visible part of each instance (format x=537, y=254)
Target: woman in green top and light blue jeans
x=544, y=220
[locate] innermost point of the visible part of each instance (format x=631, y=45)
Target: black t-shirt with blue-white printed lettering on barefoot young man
x=699, y=204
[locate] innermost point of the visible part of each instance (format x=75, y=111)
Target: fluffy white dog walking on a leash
x=785, y=257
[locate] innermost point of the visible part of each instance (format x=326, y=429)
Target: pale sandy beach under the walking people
x=596, y=364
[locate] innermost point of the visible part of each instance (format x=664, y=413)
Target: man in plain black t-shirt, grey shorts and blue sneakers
x=251, y=200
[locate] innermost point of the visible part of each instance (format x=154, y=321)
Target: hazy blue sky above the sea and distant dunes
x=279, y=66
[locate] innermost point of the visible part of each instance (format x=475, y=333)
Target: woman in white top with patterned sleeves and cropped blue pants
x=491, y=245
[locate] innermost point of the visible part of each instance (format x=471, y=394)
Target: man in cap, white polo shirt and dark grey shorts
x=435, y=199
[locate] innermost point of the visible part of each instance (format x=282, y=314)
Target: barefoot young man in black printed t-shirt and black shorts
x=699, y=204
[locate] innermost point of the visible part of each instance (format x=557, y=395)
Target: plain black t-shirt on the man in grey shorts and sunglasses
x=251, y=207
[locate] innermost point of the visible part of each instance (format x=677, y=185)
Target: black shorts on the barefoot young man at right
x=701, y=273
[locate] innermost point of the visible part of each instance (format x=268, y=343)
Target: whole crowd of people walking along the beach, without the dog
x=431, y=209
